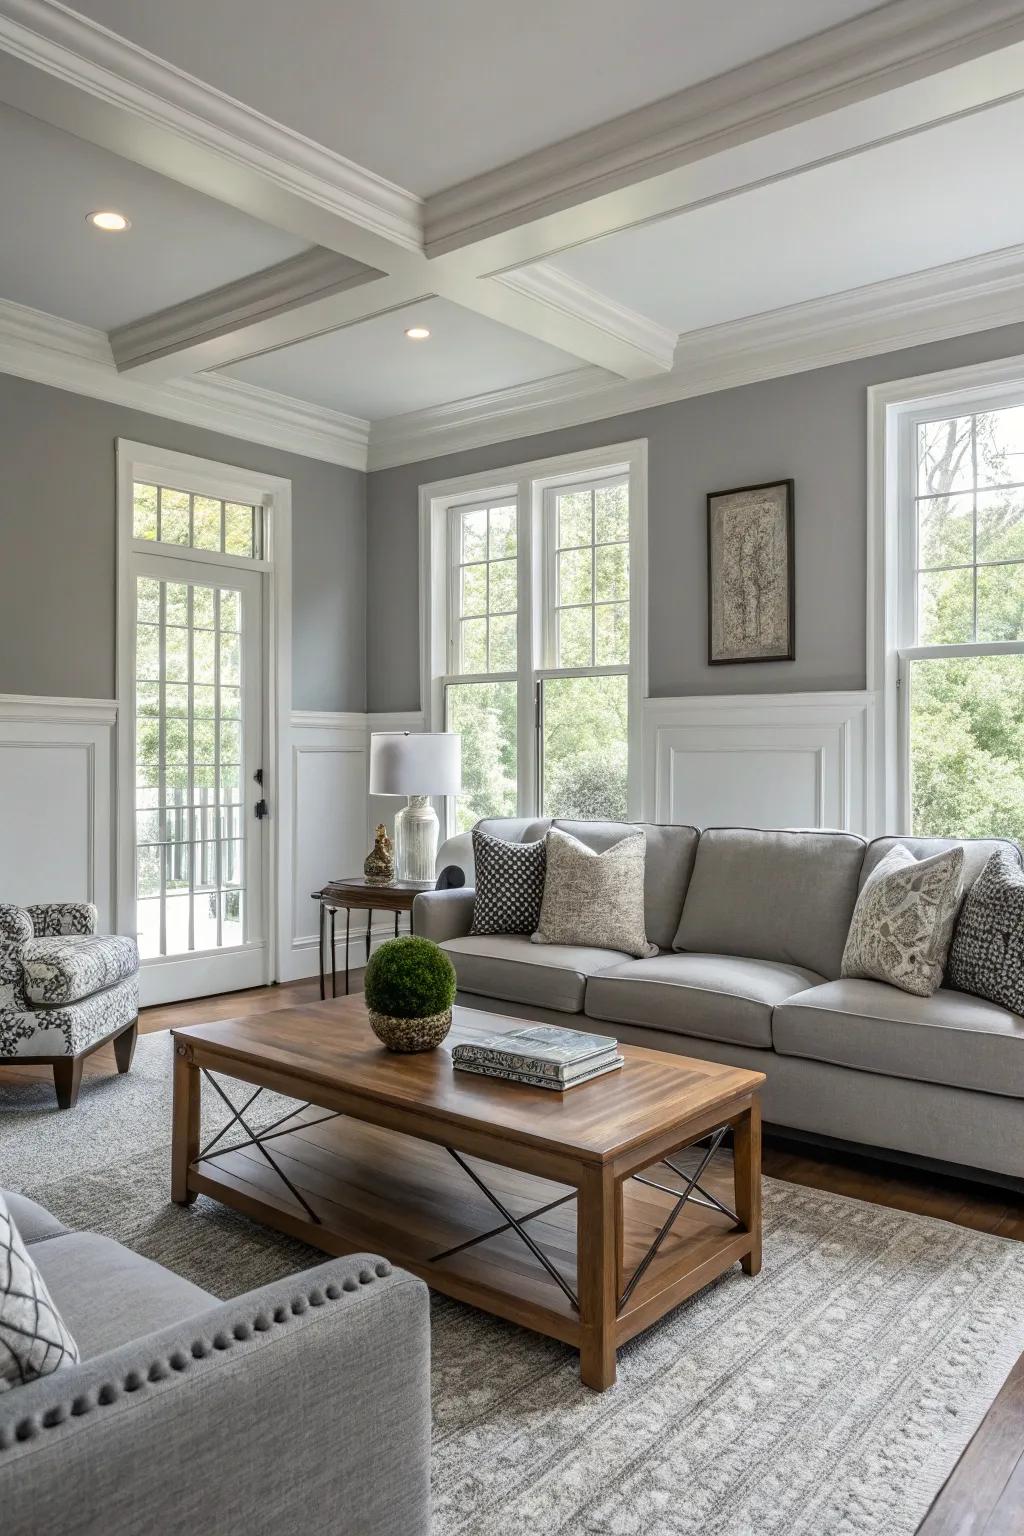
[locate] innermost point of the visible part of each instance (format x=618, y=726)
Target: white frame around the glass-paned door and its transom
x=139, y=462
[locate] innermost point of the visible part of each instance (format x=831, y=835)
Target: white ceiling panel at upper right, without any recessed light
x=942, y=196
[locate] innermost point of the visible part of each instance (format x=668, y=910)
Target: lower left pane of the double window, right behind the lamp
x=484, y=715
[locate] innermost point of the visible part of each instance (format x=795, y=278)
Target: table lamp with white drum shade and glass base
x=417, y=764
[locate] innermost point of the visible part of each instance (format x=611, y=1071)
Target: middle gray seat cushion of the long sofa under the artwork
x=716, y=998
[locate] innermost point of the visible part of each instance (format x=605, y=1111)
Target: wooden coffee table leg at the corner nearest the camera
x=598, y=1263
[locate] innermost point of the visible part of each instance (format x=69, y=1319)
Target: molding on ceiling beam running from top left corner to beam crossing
x=96, y=61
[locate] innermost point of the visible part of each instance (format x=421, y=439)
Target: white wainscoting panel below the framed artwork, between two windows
x=796, y=760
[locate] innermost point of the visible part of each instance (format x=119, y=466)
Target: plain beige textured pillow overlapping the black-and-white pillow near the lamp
x=595, y=899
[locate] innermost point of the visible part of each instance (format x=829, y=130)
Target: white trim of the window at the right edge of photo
x=893, y=412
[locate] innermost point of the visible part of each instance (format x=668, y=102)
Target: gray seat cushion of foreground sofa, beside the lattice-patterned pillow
x=110, y=1296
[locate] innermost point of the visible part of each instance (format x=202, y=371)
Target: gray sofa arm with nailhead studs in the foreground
x=297, y=1409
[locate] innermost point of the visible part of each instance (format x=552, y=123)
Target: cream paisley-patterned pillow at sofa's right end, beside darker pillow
x=903, y=921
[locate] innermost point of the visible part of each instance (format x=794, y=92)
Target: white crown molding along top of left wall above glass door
x=59, y=353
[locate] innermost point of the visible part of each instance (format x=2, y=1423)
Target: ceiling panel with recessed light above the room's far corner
x=375, y=371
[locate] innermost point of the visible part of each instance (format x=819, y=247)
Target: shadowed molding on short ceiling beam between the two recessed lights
x=274, y=291
